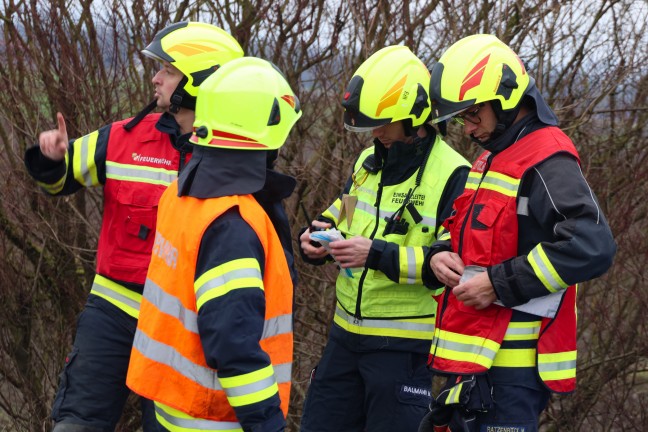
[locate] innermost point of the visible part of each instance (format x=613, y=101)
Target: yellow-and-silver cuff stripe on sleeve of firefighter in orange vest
x=251, y=387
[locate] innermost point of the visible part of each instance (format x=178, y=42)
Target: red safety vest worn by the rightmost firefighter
x=484, y=231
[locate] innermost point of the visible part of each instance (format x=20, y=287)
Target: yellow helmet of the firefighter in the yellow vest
x=390, y=86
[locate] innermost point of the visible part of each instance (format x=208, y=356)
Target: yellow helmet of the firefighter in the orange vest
x=246, y=105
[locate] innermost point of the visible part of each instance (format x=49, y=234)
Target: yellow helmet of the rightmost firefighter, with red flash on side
x=477, y=69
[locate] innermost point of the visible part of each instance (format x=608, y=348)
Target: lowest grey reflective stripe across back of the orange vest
x=169, y=356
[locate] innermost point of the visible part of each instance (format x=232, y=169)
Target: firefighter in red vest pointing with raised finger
x=134, y=160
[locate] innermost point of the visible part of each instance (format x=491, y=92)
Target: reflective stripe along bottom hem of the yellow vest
x=417, y=328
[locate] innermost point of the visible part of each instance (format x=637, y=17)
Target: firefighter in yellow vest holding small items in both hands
x=372, y=375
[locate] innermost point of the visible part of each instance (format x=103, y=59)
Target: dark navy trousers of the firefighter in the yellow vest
x=355, y=390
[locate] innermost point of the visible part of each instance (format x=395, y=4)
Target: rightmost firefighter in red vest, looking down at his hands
x=525, y=231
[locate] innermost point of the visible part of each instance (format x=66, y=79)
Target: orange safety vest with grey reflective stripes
x=167, y=362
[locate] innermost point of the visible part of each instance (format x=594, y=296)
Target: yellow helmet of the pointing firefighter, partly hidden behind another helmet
x=197, y=50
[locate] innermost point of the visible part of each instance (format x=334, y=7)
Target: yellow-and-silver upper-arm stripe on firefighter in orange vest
x=235, y=274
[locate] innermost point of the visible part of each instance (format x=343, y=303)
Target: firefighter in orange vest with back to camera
x=213, y=347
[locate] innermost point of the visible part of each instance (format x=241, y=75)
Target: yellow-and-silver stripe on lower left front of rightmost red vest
x=458, y=347
